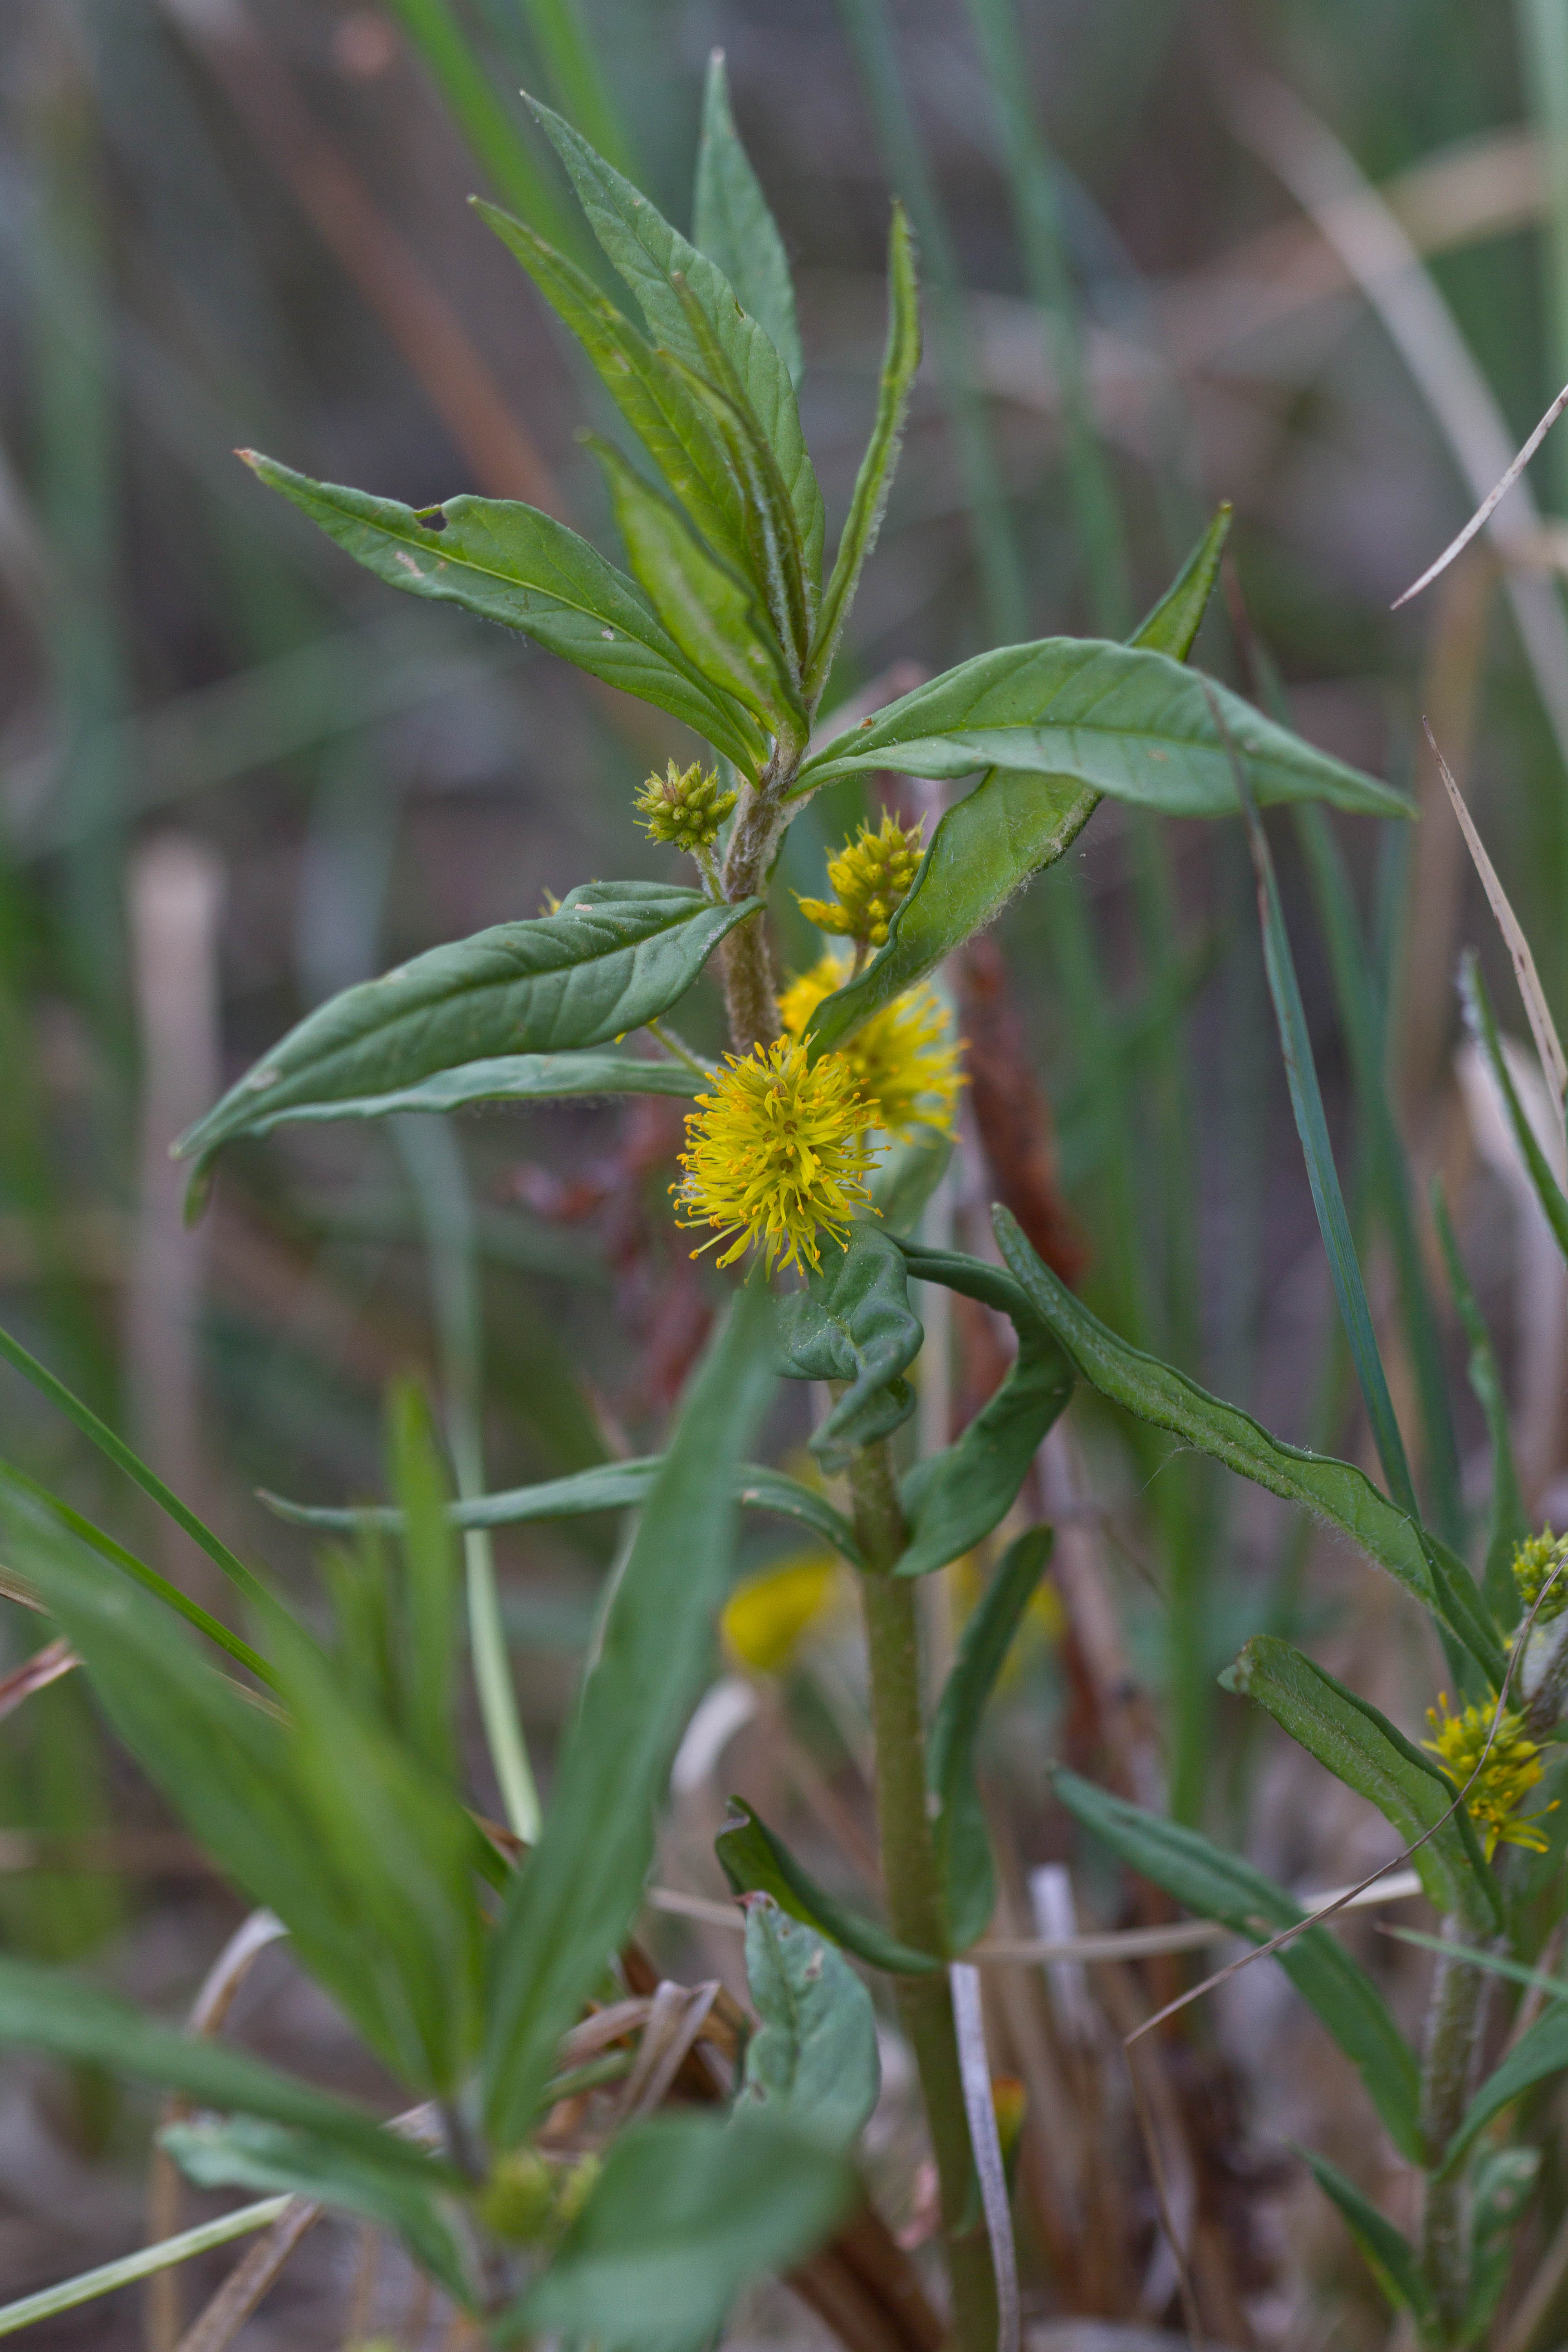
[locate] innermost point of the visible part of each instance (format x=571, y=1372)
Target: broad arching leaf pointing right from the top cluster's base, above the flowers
x=1118, y=719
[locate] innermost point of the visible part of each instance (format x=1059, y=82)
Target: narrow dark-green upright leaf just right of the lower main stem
x=960, y=1836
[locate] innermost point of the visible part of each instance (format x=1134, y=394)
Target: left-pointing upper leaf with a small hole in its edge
x=530, y=573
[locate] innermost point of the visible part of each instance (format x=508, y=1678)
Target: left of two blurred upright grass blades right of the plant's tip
x=909, y=166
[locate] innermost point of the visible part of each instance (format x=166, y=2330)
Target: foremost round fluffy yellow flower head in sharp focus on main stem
x=777, y=1154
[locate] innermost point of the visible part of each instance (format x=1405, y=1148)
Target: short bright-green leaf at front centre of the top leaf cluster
x=709, y=610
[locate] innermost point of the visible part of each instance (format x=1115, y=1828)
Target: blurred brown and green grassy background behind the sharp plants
x=1301, y=255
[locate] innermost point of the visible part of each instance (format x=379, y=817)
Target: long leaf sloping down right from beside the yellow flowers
x=1170, y=1401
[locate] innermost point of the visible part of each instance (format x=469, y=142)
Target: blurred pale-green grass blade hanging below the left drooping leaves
x=436, y=1170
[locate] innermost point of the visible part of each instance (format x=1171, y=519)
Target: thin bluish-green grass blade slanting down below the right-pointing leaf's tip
x=1322, y=1175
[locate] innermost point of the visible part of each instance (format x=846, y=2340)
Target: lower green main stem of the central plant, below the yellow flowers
x=913, y=1890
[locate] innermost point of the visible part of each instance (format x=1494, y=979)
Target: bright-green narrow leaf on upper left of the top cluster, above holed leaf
x=645, y=385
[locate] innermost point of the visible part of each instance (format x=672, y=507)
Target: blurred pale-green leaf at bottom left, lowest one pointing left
x=257, y=2156
